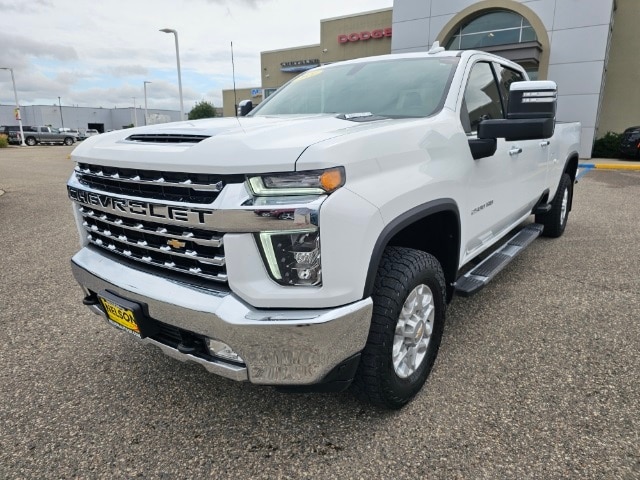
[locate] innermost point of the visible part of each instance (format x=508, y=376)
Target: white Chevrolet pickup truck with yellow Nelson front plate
x=315, y=243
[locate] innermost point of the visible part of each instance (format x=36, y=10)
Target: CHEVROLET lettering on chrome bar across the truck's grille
x=142, y=209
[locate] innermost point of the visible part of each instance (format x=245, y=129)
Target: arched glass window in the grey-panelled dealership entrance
x=499, y=27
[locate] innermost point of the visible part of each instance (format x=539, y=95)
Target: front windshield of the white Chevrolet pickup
x=407, y=87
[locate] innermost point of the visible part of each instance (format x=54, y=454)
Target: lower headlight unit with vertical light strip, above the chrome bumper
x=292, y=258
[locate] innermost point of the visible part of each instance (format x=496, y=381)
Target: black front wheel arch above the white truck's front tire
x=441, y=220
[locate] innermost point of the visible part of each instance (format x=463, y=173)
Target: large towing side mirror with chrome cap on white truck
x=531, y=113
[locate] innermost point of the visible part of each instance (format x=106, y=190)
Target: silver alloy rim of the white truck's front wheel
x=413, y=331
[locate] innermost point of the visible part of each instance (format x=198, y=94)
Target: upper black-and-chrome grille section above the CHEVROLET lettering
x=155, y=184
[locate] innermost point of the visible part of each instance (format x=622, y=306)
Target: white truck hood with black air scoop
x=217, y=145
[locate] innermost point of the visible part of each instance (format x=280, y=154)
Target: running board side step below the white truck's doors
x=472, y=281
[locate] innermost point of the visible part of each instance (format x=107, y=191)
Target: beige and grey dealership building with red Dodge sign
x=589, y=47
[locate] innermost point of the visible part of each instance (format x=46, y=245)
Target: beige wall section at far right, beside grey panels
x=621, y=102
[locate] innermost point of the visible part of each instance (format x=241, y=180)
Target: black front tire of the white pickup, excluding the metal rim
x=401, y=271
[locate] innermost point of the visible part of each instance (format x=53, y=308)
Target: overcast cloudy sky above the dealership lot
x=98, y=53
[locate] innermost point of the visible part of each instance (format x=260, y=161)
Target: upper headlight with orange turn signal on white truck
x=311, y=182
